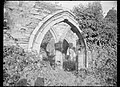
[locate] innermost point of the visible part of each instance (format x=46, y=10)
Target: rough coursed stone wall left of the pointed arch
x=23, y=17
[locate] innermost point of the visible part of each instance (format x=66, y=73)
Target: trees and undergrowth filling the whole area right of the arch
x=101, y=38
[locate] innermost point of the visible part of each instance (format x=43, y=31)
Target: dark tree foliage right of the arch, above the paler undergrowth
x=97, y=29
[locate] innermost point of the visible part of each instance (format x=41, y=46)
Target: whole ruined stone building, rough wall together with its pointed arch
x=34, y=24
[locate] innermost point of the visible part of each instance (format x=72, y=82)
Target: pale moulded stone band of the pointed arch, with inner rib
x=47, y=23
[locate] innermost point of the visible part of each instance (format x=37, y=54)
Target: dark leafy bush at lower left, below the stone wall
x=15, y=60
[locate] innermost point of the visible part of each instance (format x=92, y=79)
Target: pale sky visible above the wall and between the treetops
x=106, y=5
